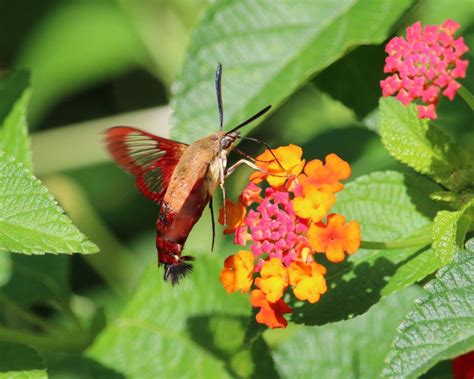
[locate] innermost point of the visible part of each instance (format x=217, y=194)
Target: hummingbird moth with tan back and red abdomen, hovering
x=181, y=178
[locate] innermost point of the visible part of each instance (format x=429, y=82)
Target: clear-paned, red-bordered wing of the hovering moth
x=151, y=159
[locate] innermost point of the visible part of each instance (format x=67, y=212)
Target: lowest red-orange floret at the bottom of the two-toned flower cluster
x=270, y=314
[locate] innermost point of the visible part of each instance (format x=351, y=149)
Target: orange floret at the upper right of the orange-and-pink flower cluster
x=327, y=175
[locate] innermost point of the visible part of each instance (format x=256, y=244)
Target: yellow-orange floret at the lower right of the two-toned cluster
x=308, y=280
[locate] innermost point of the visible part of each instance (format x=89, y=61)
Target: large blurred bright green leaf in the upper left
x=69, y=53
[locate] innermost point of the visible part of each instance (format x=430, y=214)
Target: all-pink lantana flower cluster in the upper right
x=425, y=66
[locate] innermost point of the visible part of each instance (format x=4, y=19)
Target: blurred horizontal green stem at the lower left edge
x=61, y=342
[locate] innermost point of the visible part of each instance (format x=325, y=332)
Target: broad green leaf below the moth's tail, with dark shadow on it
x=194, y=329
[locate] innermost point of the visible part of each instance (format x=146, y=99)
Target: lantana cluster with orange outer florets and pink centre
x=283, y=216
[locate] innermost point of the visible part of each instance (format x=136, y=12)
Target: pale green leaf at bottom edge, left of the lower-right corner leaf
x=345, y=349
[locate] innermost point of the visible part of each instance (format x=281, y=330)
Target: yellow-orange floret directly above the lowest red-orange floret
x=273, y=279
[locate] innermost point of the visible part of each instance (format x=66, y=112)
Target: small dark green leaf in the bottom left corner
x=20, y=362
